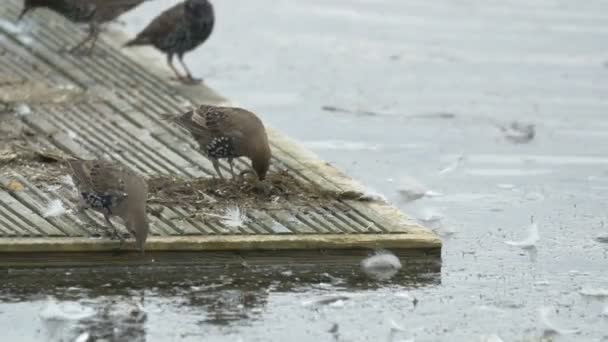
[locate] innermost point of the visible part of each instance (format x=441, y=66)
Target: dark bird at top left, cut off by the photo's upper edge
x=93, y=12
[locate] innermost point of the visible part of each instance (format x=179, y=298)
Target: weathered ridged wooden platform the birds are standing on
x=108, y=106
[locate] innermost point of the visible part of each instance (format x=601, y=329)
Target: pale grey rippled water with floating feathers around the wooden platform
x=418, y=93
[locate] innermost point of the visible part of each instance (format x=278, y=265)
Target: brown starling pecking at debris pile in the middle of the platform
x=228, y=132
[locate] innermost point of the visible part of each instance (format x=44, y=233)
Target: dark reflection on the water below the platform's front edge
x=115, y=304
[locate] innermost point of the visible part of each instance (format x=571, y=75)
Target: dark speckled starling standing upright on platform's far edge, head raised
x=178, y=30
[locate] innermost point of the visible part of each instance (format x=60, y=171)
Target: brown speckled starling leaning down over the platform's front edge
x=113, y=190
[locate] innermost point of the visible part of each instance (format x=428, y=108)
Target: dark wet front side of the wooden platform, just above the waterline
x=414, y=261
